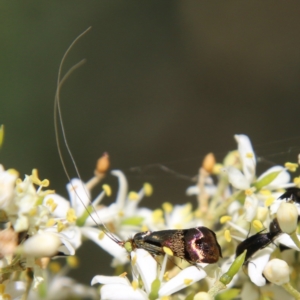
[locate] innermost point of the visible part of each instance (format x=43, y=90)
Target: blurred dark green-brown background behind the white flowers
x=165, y=82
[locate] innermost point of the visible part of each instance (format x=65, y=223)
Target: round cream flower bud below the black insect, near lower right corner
x=277, y=271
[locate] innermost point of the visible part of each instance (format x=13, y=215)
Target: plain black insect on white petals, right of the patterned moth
x=258, y=241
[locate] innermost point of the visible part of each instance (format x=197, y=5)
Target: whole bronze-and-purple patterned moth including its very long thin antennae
x=195, y=245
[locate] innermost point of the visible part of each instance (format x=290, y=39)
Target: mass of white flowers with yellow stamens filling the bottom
x=245, y=245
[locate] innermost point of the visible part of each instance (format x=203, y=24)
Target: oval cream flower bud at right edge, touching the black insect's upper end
x=287, y=216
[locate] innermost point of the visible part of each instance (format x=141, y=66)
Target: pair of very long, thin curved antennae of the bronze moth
x=58, y=119
